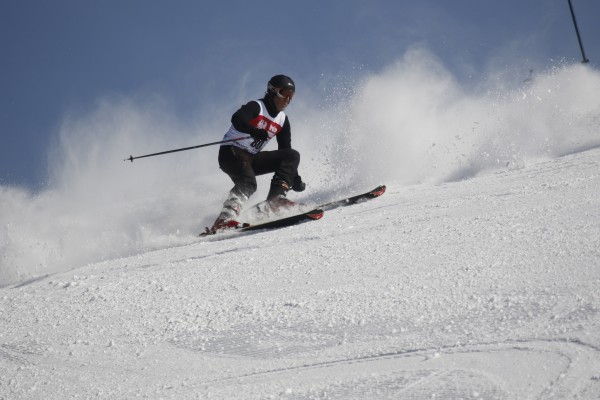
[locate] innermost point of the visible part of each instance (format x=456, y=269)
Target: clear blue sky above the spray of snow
x=60, y=57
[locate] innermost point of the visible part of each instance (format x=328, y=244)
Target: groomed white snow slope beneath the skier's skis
x=479, y=289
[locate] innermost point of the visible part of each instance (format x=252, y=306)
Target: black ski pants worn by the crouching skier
x=243, y=167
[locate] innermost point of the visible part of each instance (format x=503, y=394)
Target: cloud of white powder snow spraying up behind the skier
x=412, y=122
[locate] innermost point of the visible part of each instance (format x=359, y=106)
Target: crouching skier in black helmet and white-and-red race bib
x=254, y=125
